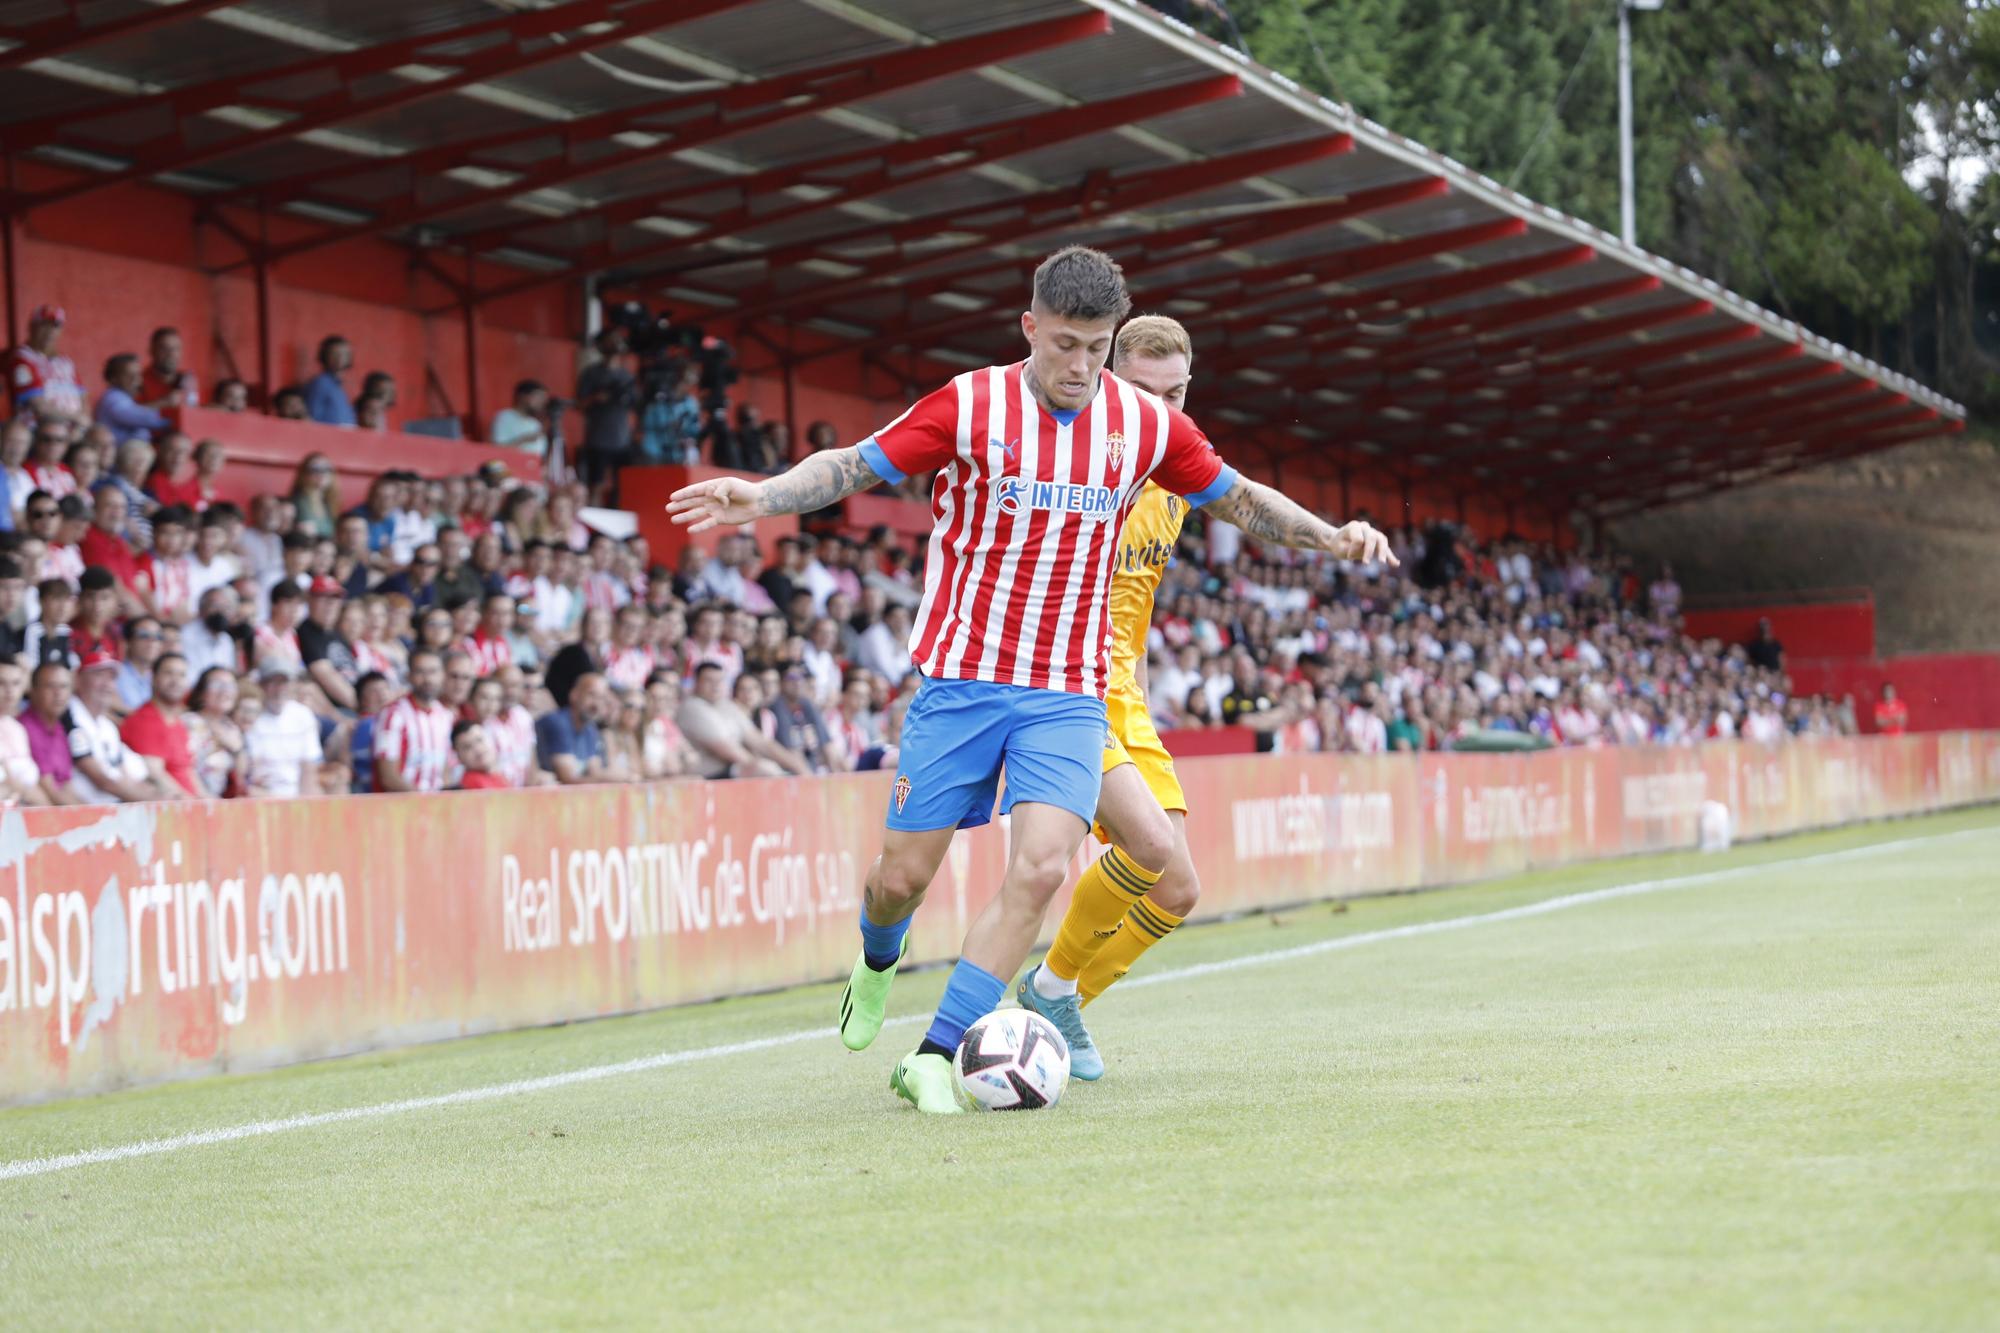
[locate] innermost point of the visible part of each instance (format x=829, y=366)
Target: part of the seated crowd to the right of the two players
x=1465, y=645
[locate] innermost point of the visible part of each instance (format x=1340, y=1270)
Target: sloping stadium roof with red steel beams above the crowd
x=889, y=171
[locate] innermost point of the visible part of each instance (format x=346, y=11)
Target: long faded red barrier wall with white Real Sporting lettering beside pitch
x=143, y=944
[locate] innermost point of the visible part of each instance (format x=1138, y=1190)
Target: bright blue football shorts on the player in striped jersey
x=959, y=736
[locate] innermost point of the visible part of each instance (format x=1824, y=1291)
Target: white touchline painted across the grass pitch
x=257, y=1130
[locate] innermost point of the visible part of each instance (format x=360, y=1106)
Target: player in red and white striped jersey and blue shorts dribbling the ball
x=1039, y=465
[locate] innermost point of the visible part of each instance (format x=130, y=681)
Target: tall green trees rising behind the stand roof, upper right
x=1797, y=151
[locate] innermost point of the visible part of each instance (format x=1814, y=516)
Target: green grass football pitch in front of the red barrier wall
x=1767, y=1098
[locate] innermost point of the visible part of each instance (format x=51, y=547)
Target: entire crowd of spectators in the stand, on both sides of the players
x=161, y=643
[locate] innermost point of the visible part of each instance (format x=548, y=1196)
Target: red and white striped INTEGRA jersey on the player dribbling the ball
x=1027, y=513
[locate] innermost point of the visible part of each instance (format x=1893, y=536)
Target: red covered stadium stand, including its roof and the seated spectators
x=1379, y=329
